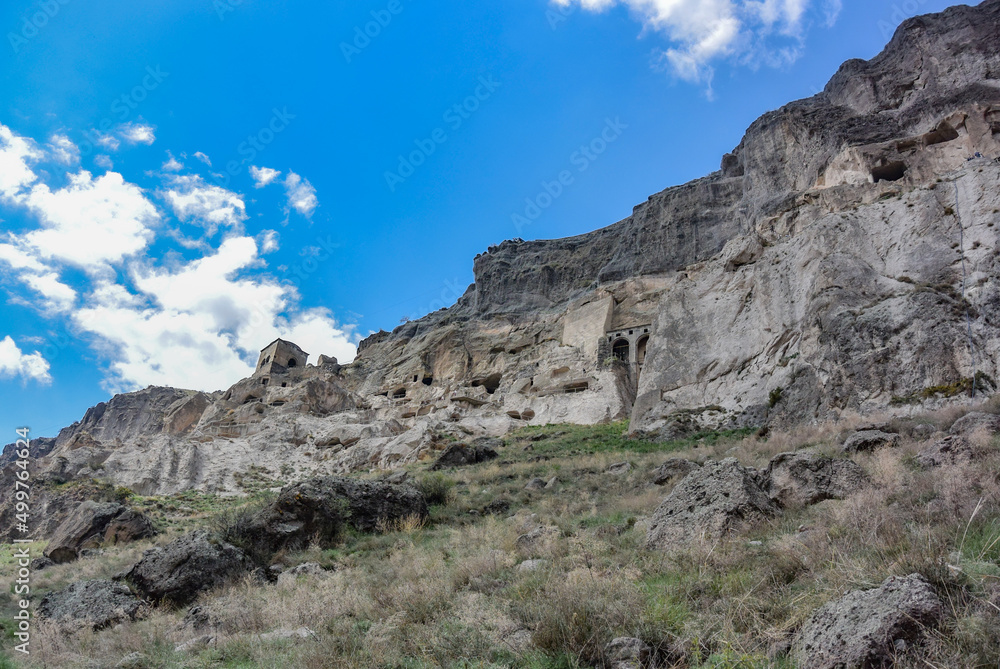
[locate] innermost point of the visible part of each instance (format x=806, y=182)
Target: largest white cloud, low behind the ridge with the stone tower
x=200, y=325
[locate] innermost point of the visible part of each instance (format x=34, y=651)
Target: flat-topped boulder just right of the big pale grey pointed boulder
x=804, y=478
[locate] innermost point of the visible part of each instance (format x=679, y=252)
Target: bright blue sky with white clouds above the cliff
x=183, y=182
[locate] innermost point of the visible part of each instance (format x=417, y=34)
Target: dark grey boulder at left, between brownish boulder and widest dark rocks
x=178, y=572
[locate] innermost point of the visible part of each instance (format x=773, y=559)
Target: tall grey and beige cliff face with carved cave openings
x=837, y=262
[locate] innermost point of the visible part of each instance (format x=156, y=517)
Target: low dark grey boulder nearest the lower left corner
x=97, y=604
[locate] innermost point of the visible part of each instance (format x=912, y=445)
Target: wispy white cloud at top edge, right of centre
x=702, y=32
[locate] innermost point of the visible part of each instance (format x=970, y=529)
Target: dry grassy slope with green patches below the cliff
x=451, y=593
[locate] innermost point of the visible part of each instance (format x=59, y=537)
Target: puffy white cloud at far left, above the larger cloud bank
x=90, y=223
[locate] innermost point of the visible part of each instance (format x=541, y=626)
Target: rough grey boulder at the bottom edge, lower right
x=861, y=629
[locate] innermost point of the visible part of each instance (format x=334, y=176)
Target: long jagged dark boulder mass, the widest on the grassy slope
x=319, y=508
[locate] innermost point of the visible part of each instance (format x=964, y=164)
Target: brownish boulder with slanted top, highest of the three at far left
x=93, y=524
